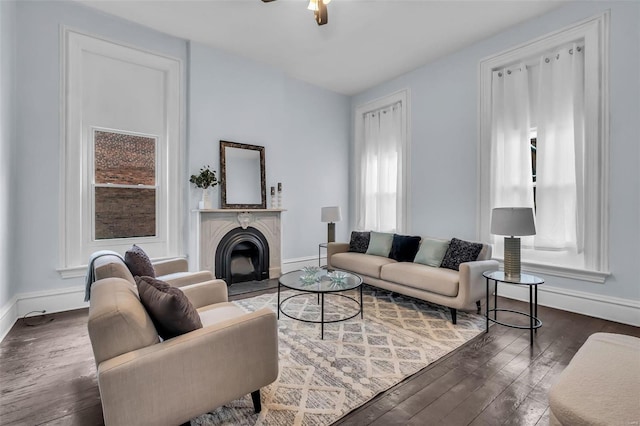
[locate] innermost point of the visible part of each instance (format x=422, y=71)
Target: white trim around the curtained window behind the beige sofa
x=402, y=96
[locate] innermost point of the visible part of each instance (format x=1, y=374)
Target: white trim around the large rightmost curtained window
x=595, y=33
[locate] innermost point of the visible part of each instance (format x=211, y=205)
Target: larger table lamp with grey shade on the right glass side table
x=512, y=222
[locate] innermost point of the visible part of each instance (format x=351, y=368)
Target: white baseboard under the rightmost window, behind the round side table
x=594, y=305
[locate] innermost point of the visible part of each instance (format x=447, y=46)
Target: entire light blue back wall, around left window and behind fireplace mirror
x=305, y=130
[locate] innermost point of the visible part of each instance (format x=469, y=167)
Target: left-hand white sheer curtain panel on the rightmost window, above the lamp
x=511, y=172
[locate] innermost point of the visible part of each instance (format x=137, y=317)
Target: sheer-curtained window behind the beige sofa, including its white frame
x=381, y=164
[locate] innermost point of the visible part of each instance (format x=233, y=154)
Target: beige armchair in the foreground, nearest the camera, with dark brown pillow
x=144, y=380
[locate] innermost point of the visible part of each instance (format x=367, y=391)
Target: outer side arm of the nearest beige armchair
x=181, y=378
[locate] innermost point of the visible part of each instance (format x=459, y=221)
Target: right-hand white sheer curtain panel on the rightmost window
x=560, y=150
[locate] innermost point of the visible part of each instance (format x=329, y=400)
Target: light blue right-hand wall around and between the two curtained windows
x=444, y=168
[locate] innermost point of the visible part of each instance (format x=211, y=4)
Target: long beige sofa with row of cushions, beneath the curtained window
x=464, y=289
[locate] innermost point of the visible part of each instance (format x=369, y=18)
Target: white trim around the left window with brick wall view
x=74, y=231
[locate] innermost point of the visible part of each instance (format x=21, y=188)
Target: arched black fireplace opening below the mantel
x=242, y=255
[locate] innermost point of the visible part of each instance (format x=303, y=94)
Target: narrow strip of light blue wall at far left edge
x=8, y=287
